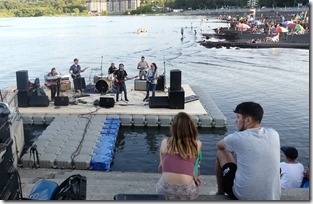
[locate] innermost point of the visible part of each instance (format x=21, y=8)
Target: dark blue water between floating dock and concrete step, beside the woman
x=137, y=149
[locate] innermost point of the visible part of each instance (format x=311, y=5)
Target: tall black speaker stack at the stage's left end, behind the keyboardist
x=22, y=87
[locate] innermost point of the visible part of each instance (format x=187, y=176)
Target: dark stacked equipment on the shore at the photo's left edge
x=9, y=186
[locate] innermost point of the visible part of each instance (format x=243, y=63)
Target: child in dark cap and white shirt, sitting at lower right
x=291, y=171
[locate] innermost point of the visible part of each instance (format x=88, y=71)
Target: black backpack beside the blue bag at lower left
x=73, y=188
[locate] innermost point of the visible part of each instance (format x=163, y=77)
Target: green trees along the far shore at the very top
x=30, y=8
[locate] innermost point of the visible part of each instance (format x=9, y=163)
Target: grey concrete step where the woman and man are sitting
x=104, y=185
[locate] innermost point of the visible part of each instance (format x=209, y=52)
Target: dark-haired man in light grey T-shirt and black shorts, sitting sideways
x=257, y=153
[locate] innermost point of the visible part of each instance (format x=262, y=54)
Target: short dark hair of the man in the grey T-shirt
x=251, y=109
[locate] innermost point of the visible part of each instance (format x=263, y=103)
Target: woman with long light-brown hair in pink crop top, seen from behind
x=178, y=154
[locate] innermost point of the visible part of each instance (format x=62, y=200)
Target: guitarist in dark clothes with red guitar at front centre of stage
x=120, y=76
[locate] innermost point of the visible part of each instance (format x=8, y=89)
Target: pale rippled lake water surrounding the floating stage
x=278, y=79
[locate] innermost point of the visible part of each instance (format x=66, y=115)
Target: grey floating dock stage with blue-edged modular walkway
x=82, y=135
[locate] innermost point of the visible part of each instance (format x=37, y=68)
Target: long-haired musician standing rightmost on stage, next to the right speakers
x=152, y=80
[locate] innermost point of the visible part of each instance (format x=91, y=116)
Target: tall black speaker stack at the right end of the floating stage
x=176, y=94
